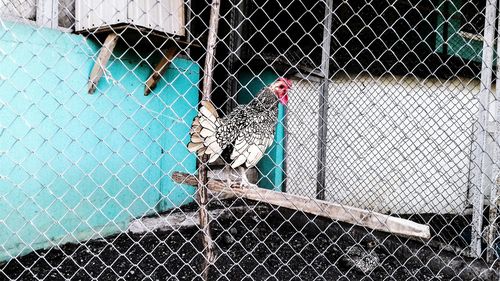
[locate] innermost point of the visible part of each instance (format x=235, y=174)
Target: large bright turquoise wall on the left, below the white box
x=75, y=166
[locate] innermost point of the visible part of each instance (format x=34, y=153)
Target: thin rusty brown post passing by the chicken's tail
x=202, y=172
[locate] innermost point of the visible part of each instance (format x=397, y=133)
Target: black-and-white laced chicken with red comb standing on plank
x=242, y=137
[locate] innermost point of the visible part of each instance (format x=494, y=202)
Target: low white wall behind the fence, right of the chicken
x=396, y=145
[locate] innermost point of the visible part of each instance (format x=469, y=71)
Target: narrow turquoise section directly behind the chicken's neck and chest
x=271, y=167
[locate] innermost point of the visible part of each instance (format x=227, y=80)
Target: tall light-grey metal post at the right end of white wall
x=480, y=151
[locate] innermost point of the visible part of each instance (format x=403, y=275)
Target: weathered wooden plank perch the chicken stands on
x=317, y=207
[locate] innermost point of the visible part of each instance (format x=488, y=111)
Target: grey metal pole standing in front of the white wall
x=323, y=102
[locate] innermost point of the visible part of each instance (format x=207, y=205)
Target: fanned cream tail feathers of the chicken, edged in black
x=204, y=132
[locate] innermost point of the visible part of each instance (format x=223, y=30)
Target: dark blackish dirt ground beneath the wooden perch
x=265, y=245
